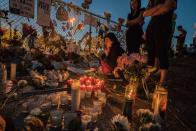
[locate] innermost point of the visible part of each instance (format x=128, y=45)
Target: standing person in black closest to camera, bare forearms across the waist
x=158, y=34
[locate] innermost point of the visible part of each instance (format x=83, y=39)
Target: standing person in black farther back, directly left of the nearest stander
x=134, y=23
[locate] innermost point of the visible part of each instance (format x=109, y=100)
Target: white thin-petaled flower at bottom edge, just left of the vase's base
x=122, y=120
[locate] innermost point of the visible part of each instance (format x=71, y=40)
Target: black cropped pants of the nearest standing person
x=157, y=40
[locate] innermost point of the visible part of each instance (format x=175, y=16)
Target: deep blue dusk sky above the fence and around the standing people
x=120, y=8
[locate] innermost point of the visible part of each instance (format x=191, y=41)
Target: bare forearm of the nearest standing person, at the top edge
x=160, y=9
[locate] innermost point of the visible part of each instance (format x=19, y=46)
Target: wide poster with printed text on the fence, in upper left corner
x=22, y=7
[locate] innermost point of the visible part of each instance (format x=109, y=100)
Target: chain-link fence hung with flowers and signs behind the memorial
x=61, y=27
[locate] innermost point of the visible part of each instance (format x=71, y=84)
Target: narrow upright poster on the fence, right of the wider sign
x=43, y=12
